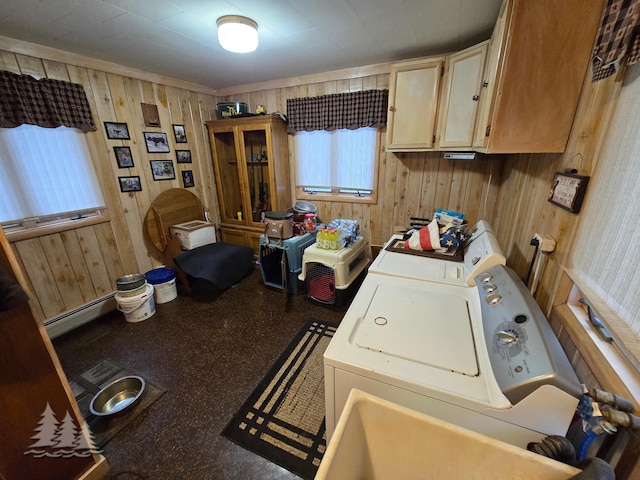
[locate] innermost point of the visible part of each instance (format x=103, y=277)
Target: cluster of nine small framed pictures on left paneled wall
x=155, y=143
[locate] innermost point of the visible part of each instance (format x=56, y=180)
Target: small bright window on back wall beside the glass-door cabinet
x=340, y=163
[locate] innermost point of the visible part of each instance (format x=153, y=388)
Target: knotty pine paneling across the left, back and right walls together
x=68, y=269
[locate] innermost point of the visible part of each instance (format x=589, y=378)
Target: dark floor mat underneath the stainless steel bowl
x=88, y=383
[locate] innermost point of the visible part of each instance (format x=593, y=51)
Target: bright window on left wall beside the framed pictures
x=45, y=172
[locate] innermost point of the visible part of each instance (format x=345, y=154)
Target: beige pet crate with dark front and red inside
x=332, y=277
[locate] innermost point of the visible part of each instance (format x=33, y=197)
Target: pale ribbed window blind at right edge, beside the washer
x=606, y=256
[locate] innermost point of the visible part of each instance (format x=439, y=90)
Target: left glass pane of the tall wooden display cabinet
x=224, y=151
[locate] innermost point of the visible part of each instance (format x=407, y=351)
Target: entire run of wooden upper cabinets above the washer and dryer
x=516, y=93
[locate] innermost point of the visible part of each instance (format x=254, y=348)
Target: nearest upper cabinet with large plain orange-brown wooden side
x=538, y=59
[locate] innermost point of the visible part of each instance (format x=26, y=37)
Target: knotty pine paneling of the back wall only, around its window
x=409, y=184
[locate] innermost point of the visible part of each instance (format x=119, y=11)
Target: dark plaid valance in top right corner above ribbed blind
x=619, y=36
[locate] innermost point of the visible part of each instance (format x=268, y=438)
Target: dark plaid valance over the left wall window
x=46, y=103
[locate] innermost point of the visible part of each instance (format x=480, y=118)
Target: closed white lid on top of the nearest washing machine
x=424, y=327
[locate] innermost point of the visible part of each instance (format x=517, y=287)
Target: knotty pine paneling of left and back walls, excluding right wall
x=71, y=268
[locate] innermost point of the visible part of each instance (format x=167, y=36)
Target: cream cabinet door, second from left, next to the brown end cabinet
x=463, y=80
